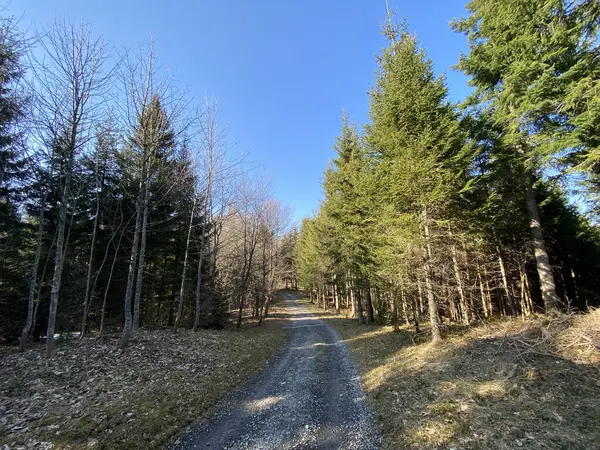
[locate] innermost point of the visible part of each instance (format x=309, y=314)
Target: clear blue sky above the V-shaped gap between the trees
x=282, y=71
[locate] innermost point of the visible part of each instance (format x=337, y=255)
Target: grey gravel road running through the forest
x=307, y=397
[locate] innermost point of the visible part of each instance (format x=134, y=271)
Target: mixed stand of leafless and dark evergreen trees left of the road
x=123, y=203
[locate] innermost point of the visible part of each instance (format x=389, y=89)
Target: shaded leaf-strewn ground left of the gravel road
x=93, y=395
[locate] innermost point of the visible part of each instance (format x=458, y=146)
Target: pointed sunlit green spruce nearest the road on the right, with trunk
x=413, y=138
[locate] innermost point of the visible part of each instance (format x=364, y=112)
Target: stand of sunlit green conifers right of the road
x=454, y=213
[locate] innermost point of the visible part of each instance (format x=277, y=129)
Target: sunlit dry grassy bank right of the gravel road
x=532, y=384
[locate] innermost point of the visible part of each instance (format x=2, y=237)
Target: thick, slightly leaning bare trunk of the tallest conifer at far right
x=542, y=259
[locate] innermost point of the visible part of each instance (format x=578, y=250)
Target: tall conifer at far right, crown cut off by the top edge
x=524, y=59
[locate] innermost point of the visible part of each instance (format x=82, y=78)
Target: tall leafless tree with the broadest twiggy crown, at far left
x=70, y=81
